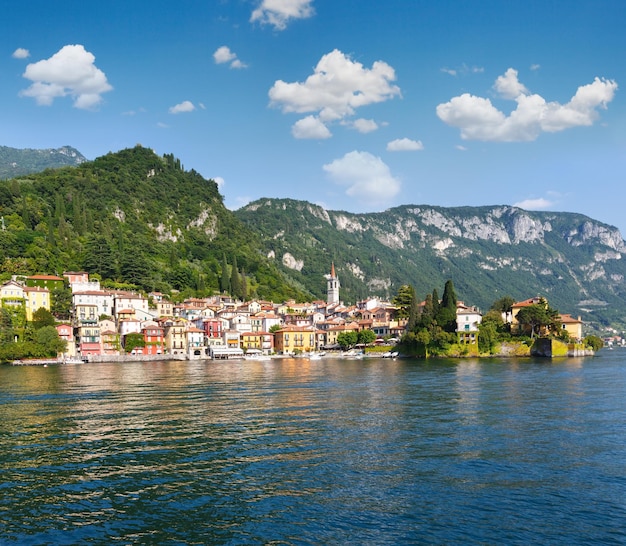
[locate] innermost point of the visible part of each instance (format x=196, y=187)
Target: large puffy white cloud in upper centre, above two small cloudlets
x=336, y=88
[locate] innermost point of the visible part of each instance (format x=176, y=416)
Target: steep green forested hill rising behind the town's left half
x=134, y=218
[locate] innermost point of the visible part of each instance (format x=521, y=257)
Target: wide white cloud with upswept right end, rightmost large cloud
x=478, y=119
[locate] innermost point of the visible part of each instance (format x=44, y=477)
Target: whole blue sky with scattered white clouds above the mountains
x=356, y=105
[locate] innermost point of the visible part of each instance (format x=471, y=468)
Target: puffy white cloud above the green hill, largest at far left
x=70, y=71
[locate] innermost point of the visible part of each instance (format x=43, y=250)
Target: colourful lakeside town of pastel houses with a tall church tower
x=119, y=325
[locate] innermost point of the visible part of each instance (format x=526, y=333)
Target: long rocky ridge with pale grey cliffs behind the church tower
x=489, y=252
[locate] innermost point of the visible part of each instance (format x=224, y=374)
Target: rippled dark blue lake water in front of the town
x=315, y=452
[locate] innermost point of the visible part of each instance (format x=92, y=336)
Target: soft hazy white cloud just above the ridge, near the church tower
x=368, y=179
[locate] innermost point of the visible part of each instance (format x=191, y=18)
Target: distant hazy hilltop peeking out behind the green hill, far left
x=16, y=162
